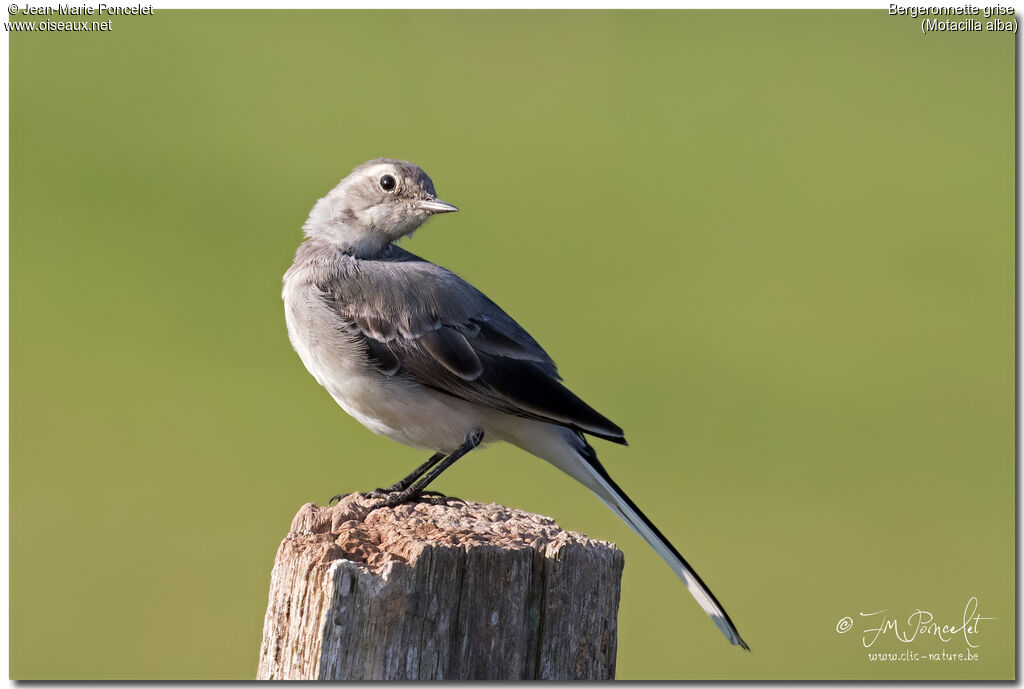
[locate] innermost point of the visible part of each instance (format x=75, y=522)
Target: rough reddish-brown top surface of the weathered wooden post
x=350, y=531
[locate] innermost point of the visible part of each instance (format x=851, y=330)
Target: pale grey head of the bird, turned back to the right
x=381, y=201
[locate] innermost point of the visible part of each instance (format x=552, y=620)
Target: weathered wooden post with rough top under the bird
x=442, y=592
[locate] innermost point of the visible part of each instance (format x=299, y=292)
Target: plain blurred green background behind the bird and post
x=778, y=248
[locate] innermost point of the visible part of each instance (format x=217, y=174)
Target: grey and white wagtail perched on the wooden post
x=415, y=354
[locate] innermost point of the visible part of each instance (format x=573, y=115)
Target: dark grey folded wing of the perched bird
x=422, y=322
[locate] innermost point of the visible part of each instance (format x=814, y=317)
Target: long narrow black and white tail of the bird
x=590, y=472
